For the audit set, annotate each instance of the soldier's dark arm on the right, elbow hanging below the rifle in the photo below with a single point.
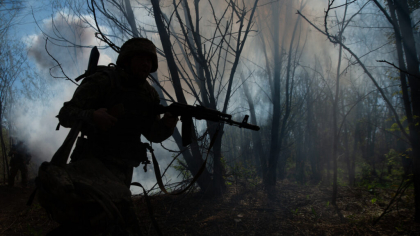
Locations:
(159, 129)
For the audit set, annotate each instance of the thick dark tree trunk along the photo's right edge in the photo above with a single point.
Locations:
(400, 19)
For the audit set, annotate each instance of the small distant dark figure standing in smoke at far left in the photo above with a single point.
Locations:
(19, 161)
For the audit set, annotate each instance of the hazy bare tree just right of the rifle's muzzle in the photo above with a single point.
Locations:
(280, 72)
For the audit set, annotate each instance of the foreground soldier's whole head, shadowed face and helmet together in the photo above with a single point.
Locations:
(138, 57)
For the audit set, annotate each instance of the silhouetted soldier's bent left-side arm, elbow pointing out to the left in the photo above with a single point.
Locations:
(85, 101)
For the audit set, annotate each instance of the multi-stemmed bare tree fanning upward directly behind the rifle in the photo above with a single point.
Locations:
(208, 75)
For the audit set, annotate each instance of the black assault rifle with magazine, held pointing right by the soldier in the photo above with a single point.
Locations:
(188, 112)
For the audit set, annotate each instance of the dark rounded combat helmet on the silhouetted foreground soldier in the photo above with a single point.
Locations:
(136, 46)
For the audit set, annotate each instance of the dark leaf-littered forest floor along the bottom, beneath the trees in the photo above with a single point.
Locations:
(296, 210)
